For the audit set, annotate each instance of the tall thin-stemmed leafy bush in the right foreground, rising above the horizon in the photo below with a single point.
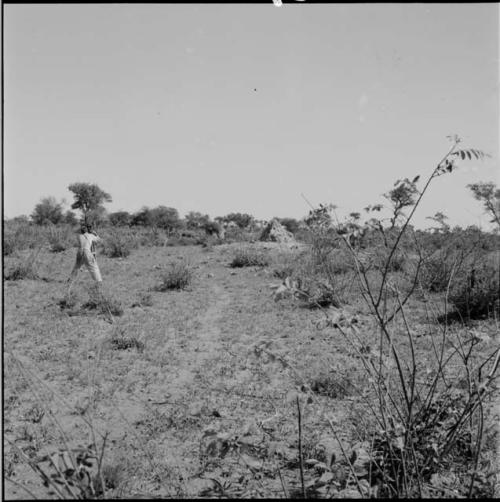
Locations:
(422, 423)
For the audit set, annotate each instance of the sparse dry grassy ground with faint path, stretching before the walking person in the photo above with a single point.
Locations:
(196, 389)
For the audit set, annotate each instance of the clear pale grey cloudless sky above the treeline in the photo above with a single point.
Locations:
(223, 108)
